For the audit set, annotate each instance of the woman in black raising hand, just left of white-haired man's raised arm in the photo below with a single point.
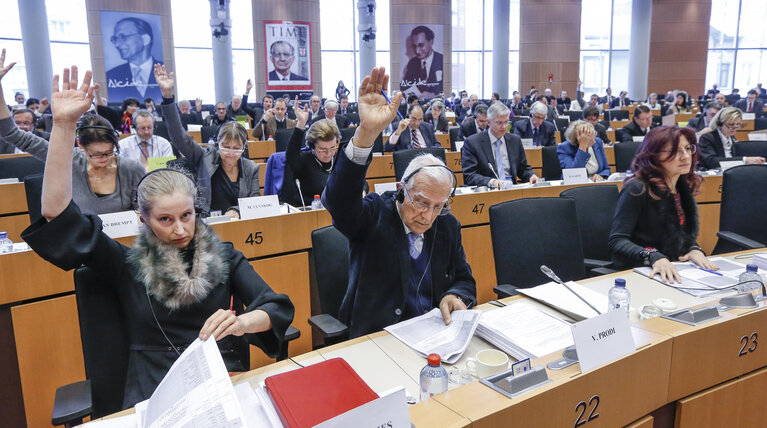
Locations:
(312, 168)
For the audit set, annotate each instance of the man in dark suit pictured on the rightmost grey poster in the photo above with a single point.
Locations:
(424, 70)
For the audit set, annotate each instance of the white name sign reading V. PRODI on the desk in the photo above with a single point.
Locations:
(602, 339)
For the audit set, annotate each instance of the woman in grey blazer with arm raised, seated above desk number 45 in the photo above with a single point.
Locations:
(231, 176)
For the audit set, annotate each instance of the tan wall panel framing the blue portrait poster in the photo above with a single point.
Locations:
(157, 7)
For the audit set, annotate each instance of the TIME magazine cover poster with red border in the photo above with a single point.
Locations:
(288, 62)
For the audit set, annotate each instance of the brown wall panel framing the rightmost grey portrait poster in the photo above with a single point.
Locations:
(427, 12)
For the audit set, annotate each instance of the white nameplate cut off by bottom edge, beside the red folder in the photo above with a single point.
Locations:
(390, 411)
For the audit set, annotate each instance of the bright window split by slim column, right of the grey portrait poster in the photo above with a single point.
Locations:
(473, 50)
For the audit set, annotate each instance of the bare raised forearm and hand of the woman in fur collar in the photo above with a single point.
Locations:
(68, 103)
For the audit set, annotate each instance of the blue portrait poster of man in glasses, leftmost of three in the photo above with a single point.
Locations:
(132, 44)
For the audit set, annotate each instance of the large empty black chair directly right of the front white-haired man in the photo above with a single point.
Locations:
(523, 241)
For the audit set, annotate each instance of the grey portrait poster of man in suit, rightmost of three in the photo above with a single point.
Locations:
(422, 47)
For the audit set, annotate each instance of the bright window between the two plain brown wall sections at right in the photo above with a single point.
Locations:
(605, 41)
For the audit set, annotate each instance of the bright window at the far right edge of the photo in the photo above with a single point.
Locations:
(737, 56)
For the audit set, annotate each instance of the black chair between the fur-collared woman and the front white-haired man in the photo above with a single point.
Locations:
(330, 270)
